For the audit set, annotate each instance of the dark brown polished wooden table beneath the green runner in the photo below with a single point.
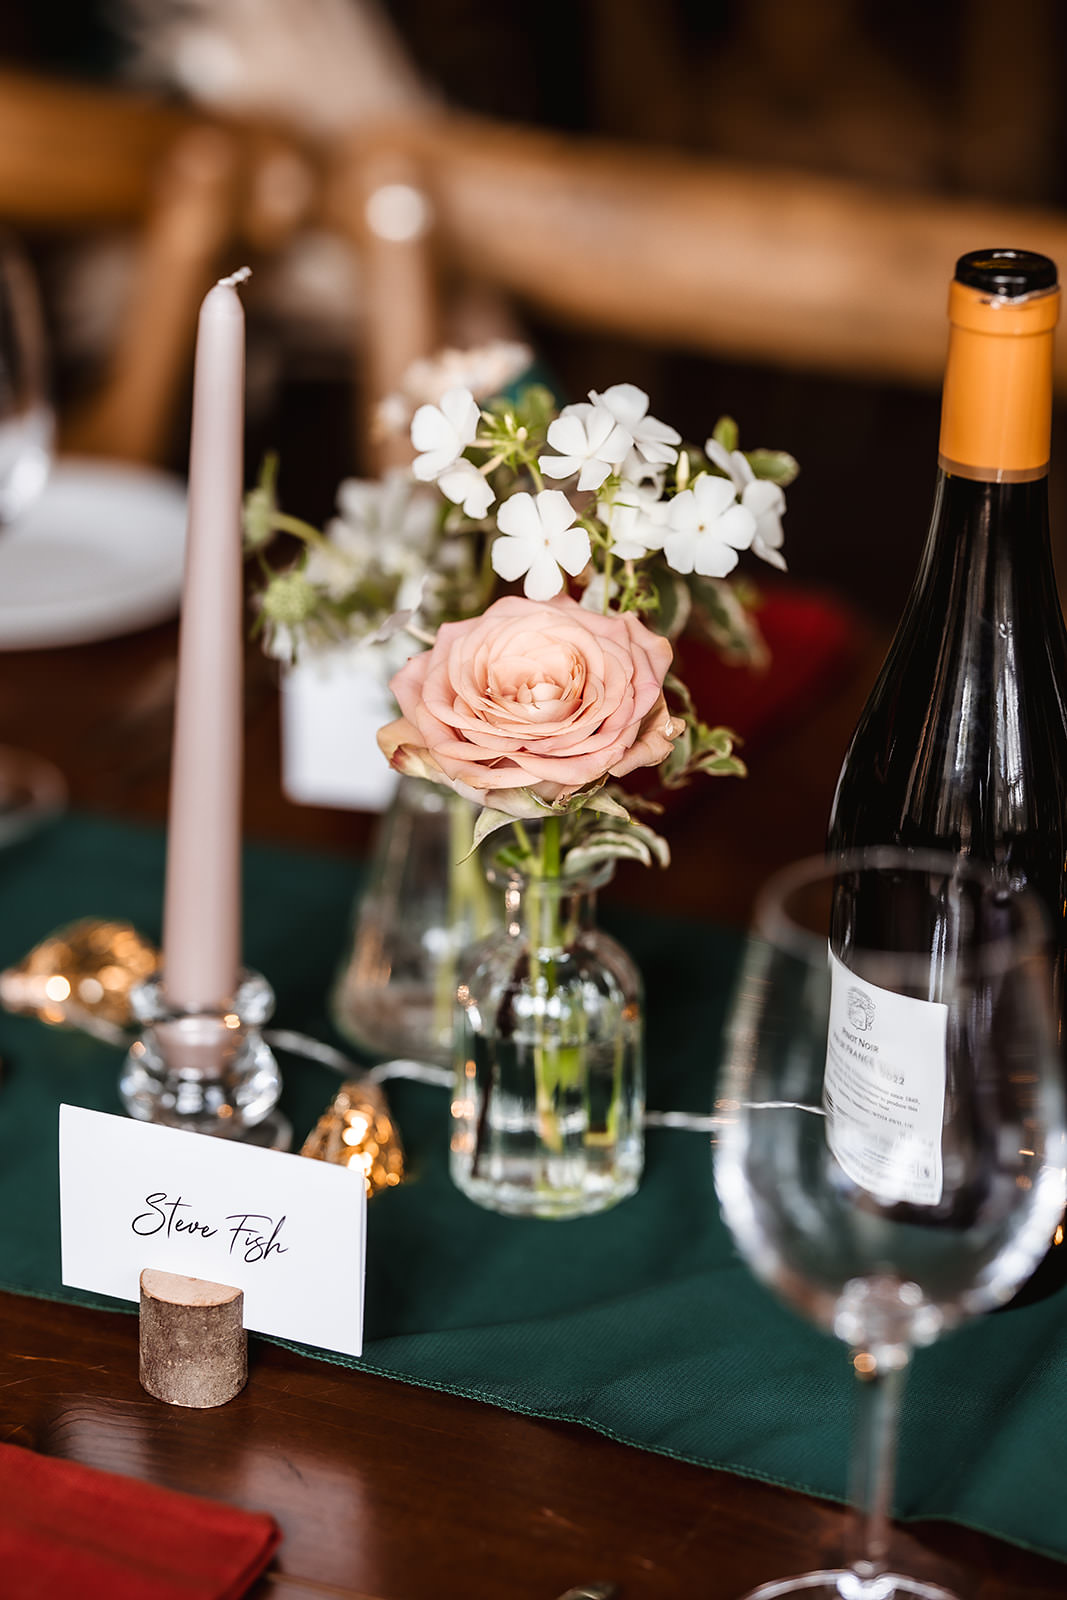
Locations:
(385, 1490)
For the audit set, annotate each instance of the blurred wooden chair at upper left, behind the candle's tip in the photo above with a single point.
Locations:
(193, 190)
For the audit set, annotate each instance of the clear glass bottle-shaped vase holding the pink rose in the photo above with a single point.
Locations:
(548, 1114)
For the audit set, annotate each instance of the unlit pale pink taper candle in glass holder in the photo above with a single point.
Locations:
(202, 929)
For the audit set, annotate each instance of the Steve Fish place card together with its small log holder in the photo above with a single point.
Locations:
(212, 1239)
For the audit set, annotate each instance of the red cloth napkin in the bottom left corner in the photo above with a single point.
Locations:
(71, 1530)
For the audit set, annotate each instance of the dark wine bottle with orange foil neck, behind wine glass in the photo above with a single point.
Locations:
(962, 746)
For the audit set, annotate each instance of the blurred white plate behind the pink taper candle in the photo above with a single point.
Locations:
(98, 554)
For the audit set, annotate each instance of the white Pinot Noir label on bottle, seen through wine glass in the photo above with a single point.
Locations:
(884, 1092)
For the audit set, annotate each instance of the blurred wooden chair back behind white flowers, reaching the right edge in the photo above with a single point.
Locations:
(767, 266)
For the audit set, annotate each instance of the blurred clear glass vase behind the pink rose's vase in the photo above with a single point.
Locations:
(426, 902)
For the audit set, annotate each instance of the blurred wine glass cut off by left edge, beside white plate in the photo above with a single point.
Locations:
(31, 788)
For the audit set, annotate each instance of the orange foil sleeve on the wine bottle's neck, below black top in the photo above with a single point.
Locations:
(997, 406)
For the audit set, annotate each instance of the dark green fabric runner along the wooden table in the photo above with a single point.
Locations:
(641, 1322)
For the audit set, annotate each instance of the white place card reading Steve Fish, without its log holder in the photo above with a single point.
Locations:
(287, 1231)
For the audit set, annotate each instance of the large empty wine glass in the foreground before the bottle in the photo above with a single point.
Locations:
(892, 1153)
